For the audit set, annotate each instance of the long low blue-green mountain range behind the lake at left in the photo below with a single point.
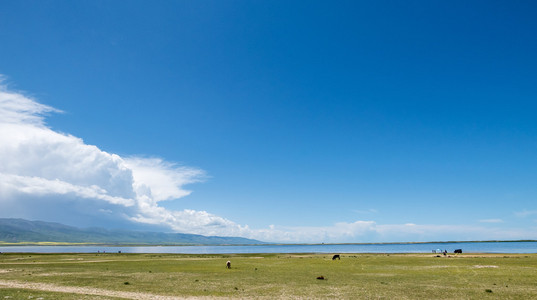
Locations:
(20, 230)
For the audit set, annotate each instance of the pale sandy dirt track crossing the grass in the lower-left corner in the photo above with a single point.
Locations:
(88, 291)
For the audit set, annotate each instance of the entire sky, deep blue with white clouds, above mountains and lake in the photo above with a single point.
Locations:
(288, 121)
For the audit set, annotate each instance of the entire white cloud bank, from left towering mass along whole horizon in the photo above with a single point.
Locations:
(52, 176)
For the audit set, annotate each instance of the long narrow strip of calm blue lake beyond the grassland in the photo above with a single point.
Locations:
(467, 247)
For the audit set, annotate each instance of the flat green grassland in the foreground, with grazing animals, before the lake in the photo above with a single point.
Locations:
(267, 276)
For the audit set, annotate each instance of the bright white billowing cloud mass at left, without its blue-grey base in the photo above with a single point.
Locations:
(38, 163)
